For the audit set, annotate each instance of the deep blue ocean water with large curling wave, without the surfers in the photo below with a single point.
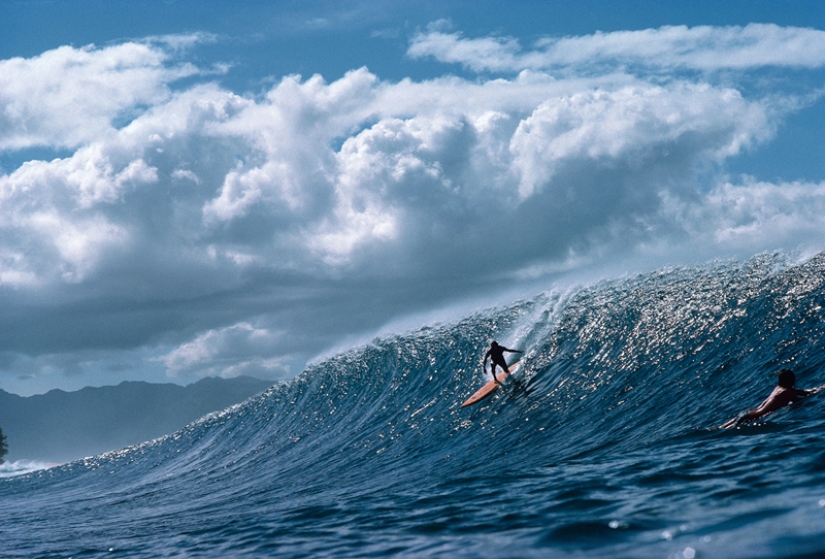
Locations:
(603, 446)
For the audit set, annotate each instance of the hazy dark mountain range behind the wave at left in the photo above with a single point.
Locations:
(62, 426)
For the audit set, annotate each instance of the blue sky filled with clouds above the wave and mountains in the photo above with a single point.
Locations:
(218, 188)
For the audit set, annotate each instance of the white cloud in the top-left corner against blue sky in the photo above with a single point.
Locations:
(69, 96)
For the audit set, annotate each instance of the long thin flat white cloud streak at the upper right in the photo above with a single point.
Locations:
(701, 48)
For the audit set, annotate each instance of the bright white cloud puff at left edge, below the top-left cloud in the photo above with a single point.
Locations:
(50, 212)
